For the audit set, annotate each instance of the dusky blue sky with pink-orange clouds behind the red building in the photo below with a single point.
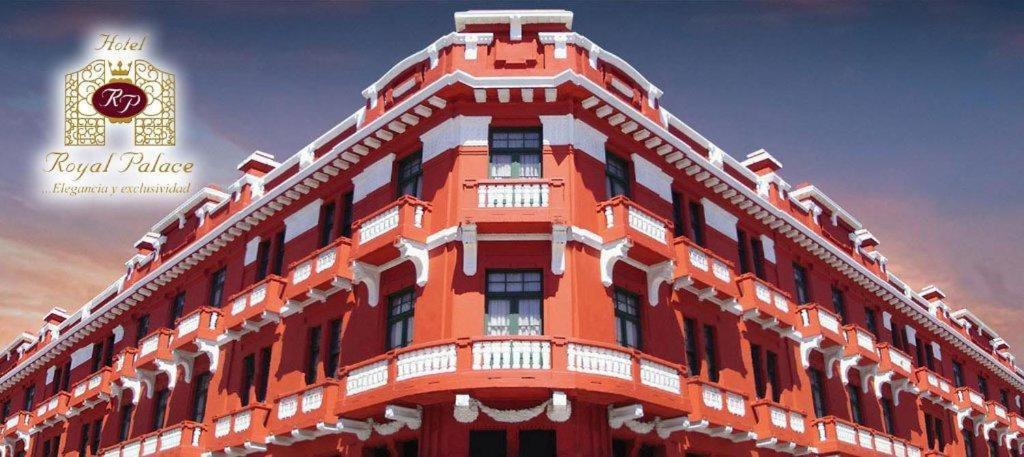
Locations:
(910, 115)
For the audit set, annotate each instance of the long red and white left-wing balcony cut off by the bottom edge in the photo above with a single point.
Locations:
(181, 440)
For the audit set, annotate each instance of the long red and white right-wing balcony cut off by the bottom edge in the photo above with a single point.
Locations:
(837, 437)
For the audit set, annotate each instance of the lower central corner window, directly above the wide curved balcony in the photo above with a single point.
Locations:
(515, 303)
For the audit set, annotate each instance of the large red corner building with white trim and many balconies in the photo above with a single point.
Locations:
(511, 250)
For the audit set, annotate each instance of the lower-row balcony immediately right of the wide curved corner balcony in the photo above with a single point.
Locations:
(723, 413)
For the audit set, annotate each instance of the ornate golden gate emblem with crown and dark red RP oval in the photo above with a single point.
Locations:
(104, 92)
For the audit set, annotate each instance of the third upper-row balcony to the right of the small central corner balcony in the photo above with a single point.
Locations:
(766, 305)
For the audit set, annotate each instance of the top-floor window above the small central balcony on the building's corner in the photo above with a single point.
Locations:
(516, 153)
